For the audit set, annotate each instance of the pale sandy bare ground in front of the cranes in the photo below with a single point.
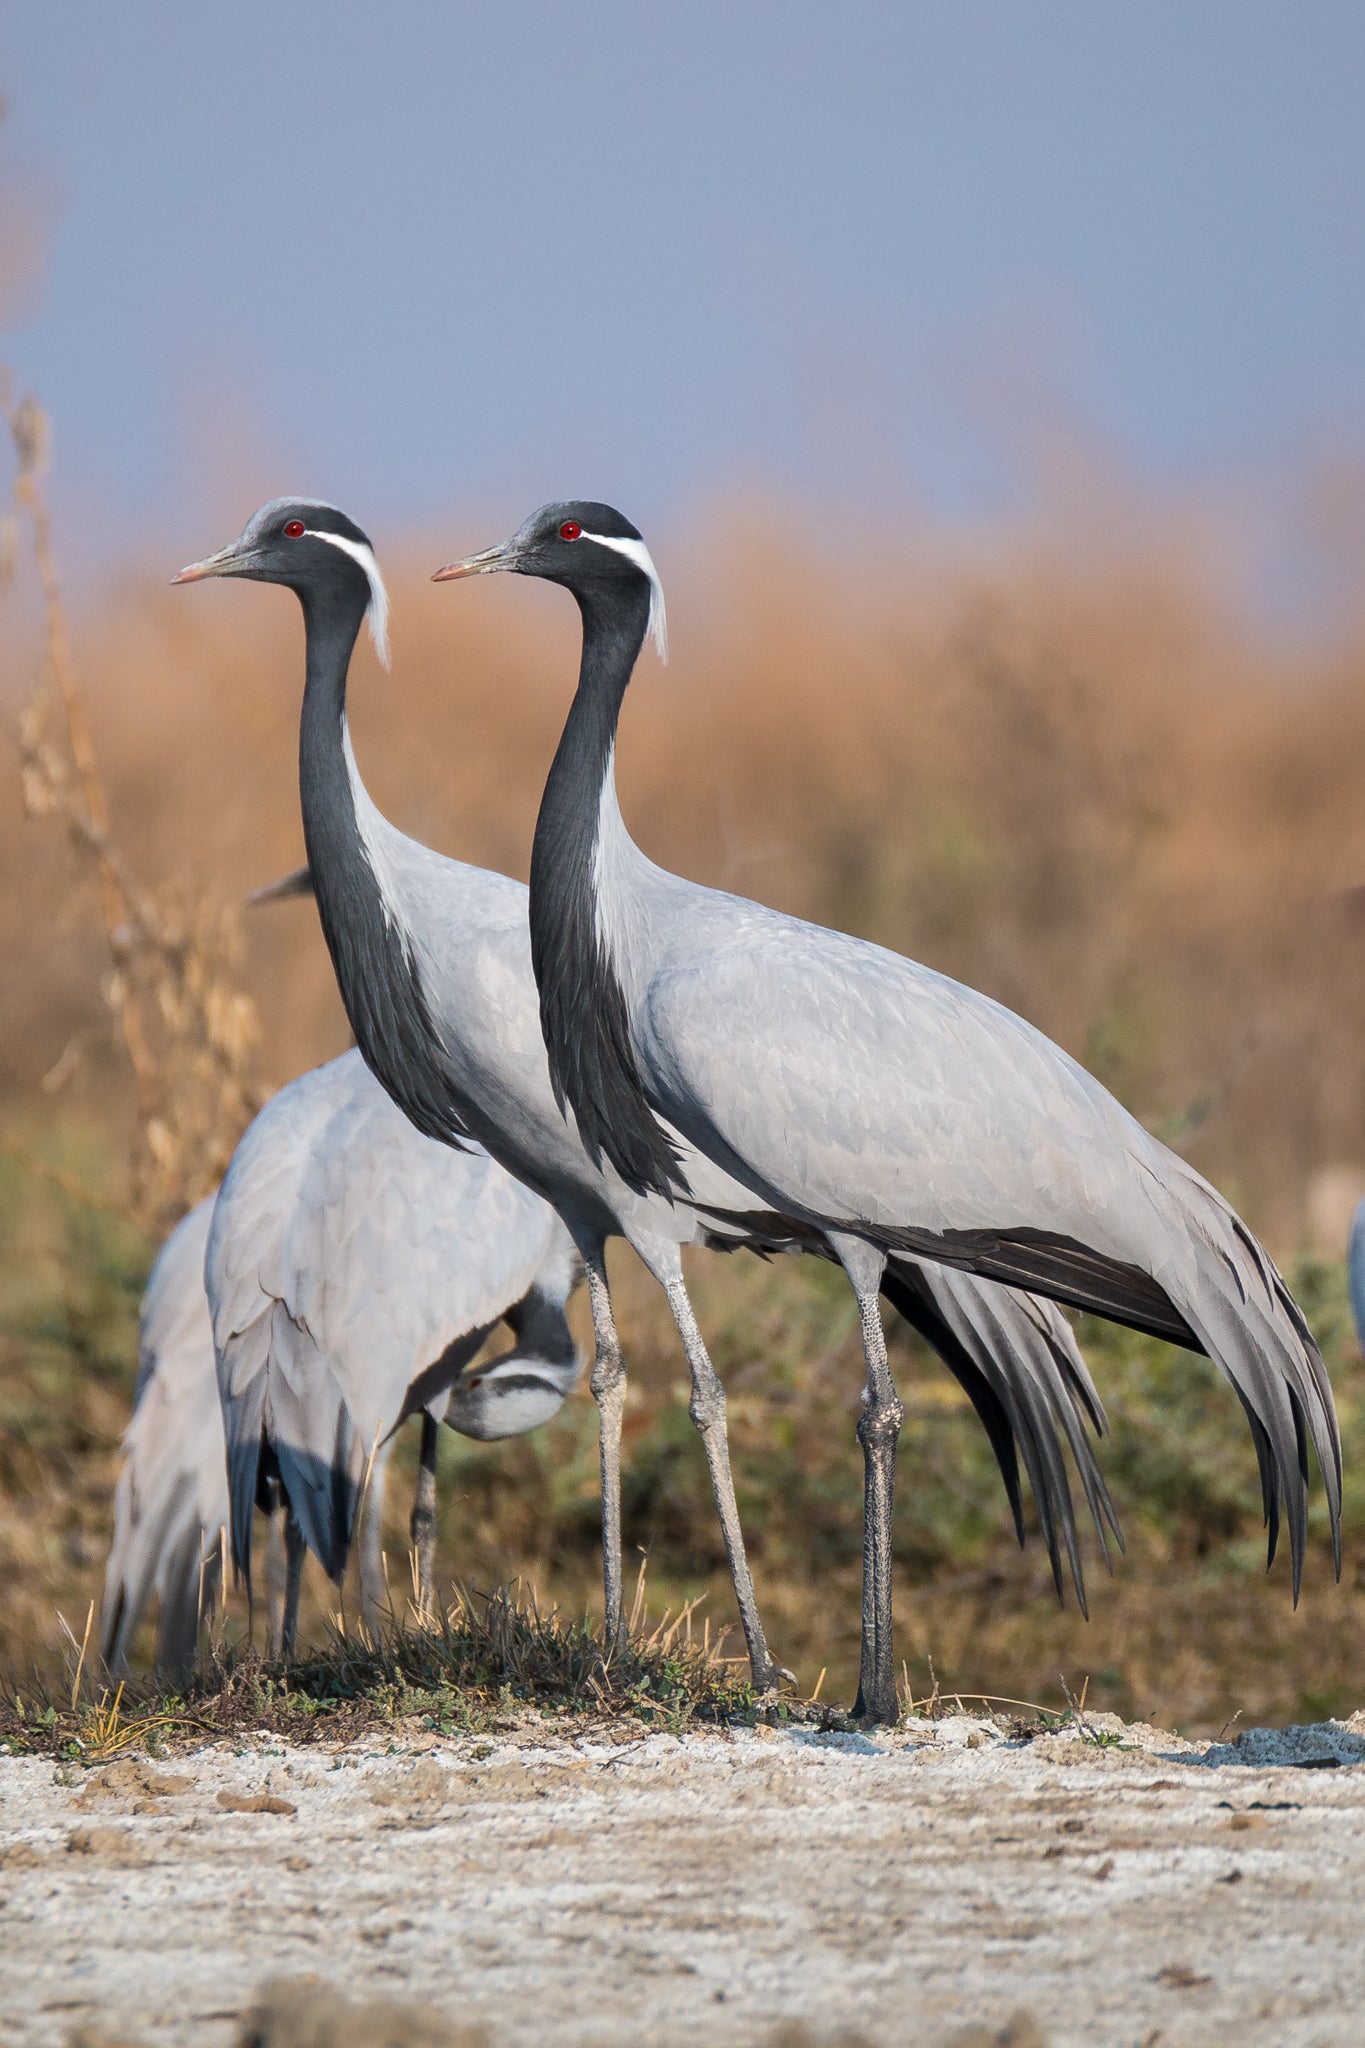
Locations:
(1139, 1893)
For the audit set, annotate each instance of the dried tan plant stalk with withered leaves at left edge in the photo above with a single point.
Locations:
(173, 990)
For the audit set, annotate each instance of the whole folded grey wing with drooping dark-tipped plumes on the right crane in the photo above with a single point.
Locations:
(865, 1093)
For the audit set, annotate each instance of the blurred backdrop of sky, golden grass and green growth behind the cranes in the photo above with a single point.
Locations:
(992, 390)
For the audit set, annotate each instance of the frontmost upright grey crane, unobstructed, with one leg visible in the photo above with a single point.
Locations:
(871, 1099)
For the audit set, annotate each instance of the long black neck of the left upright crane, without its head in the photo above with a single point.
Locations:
(369, 947)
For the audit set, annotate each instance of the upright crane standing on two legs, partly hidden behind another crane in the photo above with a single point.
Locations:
(435, 968)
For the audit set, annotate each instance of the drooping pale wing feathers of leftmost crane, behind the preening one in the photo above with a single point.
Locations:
(171, 1504)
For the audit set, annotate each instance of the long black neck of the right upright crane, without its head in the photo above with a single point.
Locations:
(582, 1002)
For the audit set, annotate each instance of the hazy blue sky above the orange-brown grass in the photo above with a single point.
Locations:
(429, 257)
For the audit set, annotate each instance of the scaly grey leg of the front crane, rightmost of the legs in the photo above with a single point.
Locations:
(879, 1426)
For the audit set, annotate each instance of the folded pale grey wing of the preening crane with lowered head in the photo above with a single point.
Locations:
(347, 1254)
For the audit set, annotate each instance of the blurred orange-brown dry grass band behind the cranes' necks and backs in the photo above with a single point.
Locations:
(1082, 783)
